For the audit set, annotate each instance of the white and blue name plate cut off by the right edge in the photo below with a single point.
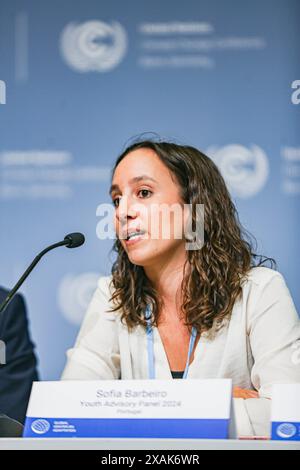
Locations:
(285, 415)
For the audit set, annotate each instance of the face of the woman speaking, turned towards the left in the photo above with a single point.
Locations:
(143, 191)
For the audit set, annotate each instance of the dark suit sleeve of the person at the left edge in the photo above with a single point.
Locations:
(20, 367)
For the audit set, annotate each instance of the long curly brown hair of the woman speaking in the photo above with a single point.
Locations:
(212, 282)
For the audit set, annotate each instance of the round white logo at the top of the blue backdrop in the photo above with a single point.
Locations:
(93, 46)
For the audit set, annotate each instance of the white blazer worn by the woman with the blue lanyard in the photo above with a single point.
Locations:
(259, 347)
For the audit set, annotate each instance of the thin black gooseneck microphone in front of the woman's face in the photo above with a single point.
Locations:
(73, 240)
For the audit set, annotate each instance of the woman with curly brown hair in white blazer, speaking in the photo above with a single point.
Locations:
(176, 309)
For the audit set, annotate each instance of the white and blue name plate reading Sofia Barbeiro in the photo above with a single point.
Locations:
(130, 409)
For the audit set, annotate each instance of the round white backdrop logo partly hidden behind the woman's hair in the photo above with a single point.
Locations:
(245, 170)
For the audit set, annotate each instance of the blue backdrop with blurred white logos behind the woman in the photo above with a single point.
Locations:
(82, 77)
